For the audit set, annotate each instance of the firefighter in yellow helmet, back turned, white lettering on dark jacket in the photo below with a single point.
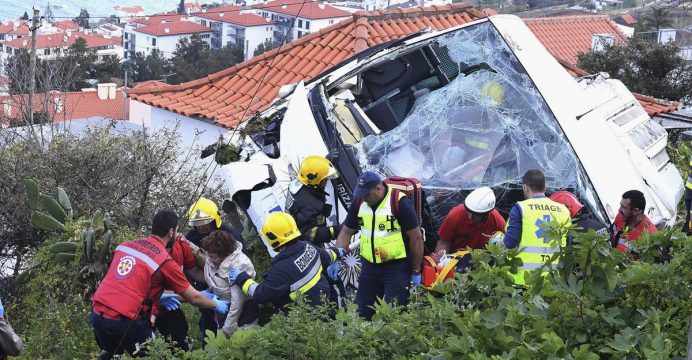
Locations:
(296, 269)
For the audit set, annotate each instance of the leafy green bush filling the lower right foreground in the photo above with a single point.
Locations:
(599, 304)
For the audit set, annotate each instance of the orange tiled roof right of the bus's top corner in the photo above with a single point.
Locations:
(567, 36)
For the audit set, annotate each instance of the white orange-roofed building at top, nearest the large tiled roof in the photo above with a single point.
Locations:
(309, 17)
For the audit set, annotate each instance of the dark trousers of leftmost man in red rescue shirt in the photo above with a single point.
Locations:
(114, 336)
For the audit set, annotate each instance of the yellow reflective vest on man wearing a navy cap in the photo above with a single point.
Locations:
(381, 239)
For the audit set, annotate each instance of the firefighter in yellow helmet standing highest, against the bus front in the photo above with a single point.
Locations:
(307, 200)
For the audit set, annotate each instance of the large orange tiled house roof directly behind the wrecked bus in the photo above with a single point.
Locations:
(234, 94)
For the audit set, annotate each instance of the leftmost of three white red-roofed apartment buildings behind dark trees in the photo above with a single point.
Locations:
(161, 32)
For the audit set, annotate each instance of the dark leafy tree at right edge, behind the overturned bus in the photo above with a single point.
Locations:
(644, 67)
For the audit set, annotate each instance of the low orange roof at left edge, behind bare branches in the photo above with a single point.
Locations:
(75, 105)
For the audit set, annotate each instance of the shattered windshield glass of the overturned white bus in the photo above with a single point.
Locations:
(485, 127)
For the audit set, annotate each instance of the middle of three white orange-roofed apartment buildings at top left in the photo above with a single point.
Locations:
(246, 30)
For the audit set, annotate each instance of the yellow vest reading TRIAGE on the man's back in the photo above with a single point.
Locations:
(537, 248)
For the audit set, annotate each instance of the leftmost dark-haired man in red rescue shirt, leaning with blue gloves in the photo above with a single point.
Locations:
(140, 271)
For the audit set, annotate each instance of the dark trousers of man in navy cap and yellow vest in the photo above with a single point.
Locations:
(389, 281)
